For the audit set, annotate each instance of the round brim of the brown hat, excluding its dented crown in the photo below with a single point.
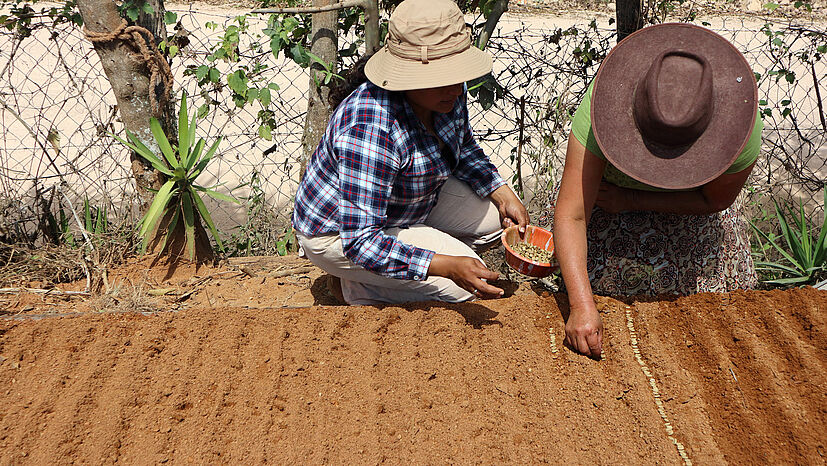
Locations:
(735, 97)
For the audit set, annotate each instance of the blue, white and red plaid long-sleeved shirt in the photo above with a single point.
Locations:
(377, 167)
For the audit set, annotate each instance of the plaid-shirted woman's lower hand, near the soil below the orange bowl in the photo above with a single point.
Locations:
(468, 273)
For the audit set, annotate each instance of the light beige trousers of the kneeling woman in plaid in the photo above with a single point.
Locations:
(460, 223)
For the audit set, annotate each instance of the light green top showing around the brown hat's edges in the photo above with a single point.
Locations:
(581, 127)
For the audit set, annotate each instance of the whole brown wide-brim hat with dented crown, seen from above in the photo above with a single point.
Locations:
(673, 105)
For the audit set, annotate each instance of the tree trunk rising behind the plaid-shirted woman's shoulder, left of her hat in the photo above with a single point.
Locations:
(325, 46)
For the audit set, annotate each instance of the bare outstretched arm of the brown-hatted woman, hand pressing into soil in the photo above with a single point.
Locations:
(578, 191)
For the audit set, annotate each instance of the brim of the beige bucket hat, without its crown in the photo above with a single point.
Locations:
(397, 74)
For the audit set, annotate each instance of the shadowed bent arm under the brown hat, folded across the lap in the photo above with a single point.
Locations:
(714, 196)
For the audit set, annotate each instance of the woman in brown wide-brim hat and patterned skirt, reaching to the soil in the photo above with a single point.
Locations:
(660, 147)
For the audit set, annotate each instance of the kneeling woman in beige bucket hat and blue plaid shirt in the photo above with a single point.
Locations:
(398, 197)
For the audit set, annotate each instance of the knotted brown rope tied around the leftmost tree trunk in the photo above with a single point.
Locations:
(142, 40)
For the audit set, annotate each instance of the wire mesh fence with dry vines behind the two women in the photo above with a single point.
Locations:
(57, 108)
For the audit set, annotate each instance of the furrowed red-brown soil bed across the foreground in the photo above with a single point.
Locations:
(253, 369)
